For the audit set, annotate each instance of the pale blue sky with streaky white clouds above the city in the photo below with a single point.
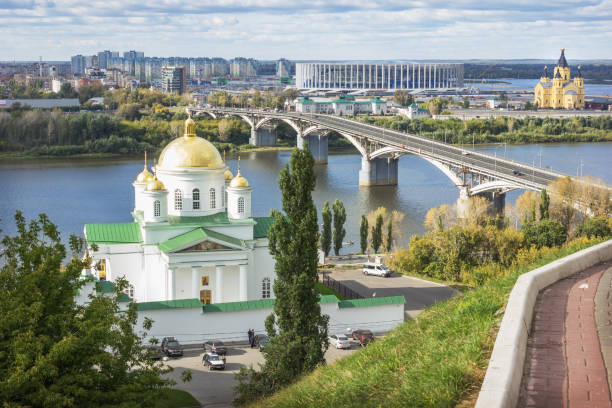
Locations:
(308, 30)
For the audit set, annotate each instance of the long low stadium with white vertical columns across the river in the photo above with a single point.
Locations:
(390, 77)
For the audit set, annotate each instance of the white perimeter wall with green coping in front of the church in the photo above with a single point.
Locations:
(192, 326)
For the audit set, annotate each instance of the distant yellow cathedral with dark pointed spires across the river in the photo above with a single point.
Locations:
(561, 92)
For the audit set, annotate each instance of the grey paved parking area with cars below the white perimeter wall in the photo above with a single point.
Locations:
(213, 389)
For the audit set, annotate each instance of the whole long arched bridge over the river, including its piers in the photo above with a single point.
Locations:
(472, 172)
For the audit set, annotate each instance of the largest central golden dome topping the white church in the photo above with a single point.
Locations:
(189, 151)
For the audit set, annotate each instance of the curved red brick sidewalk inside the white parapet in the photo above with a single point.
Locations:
(564, 366)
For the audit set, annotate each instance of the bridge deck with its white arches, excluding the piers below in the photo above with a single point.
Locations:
(486, 173)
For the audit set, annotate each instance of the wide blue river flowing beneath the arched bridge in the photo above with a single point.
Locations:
(75, 192)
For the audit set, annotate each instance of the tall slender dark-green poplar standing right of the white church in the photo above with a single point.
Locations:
(299, 344)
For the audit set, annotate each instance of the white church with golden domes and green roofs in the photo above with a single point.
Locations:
(193, 236)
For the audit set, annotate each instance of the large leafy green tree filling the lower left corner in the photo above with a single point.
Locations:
(55, 352)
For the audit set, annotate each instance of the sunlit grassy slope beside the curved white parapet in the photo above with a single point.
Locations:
(437, 360)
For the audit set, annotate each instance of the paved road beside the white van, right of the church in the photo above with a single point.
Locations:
(419, 293)
